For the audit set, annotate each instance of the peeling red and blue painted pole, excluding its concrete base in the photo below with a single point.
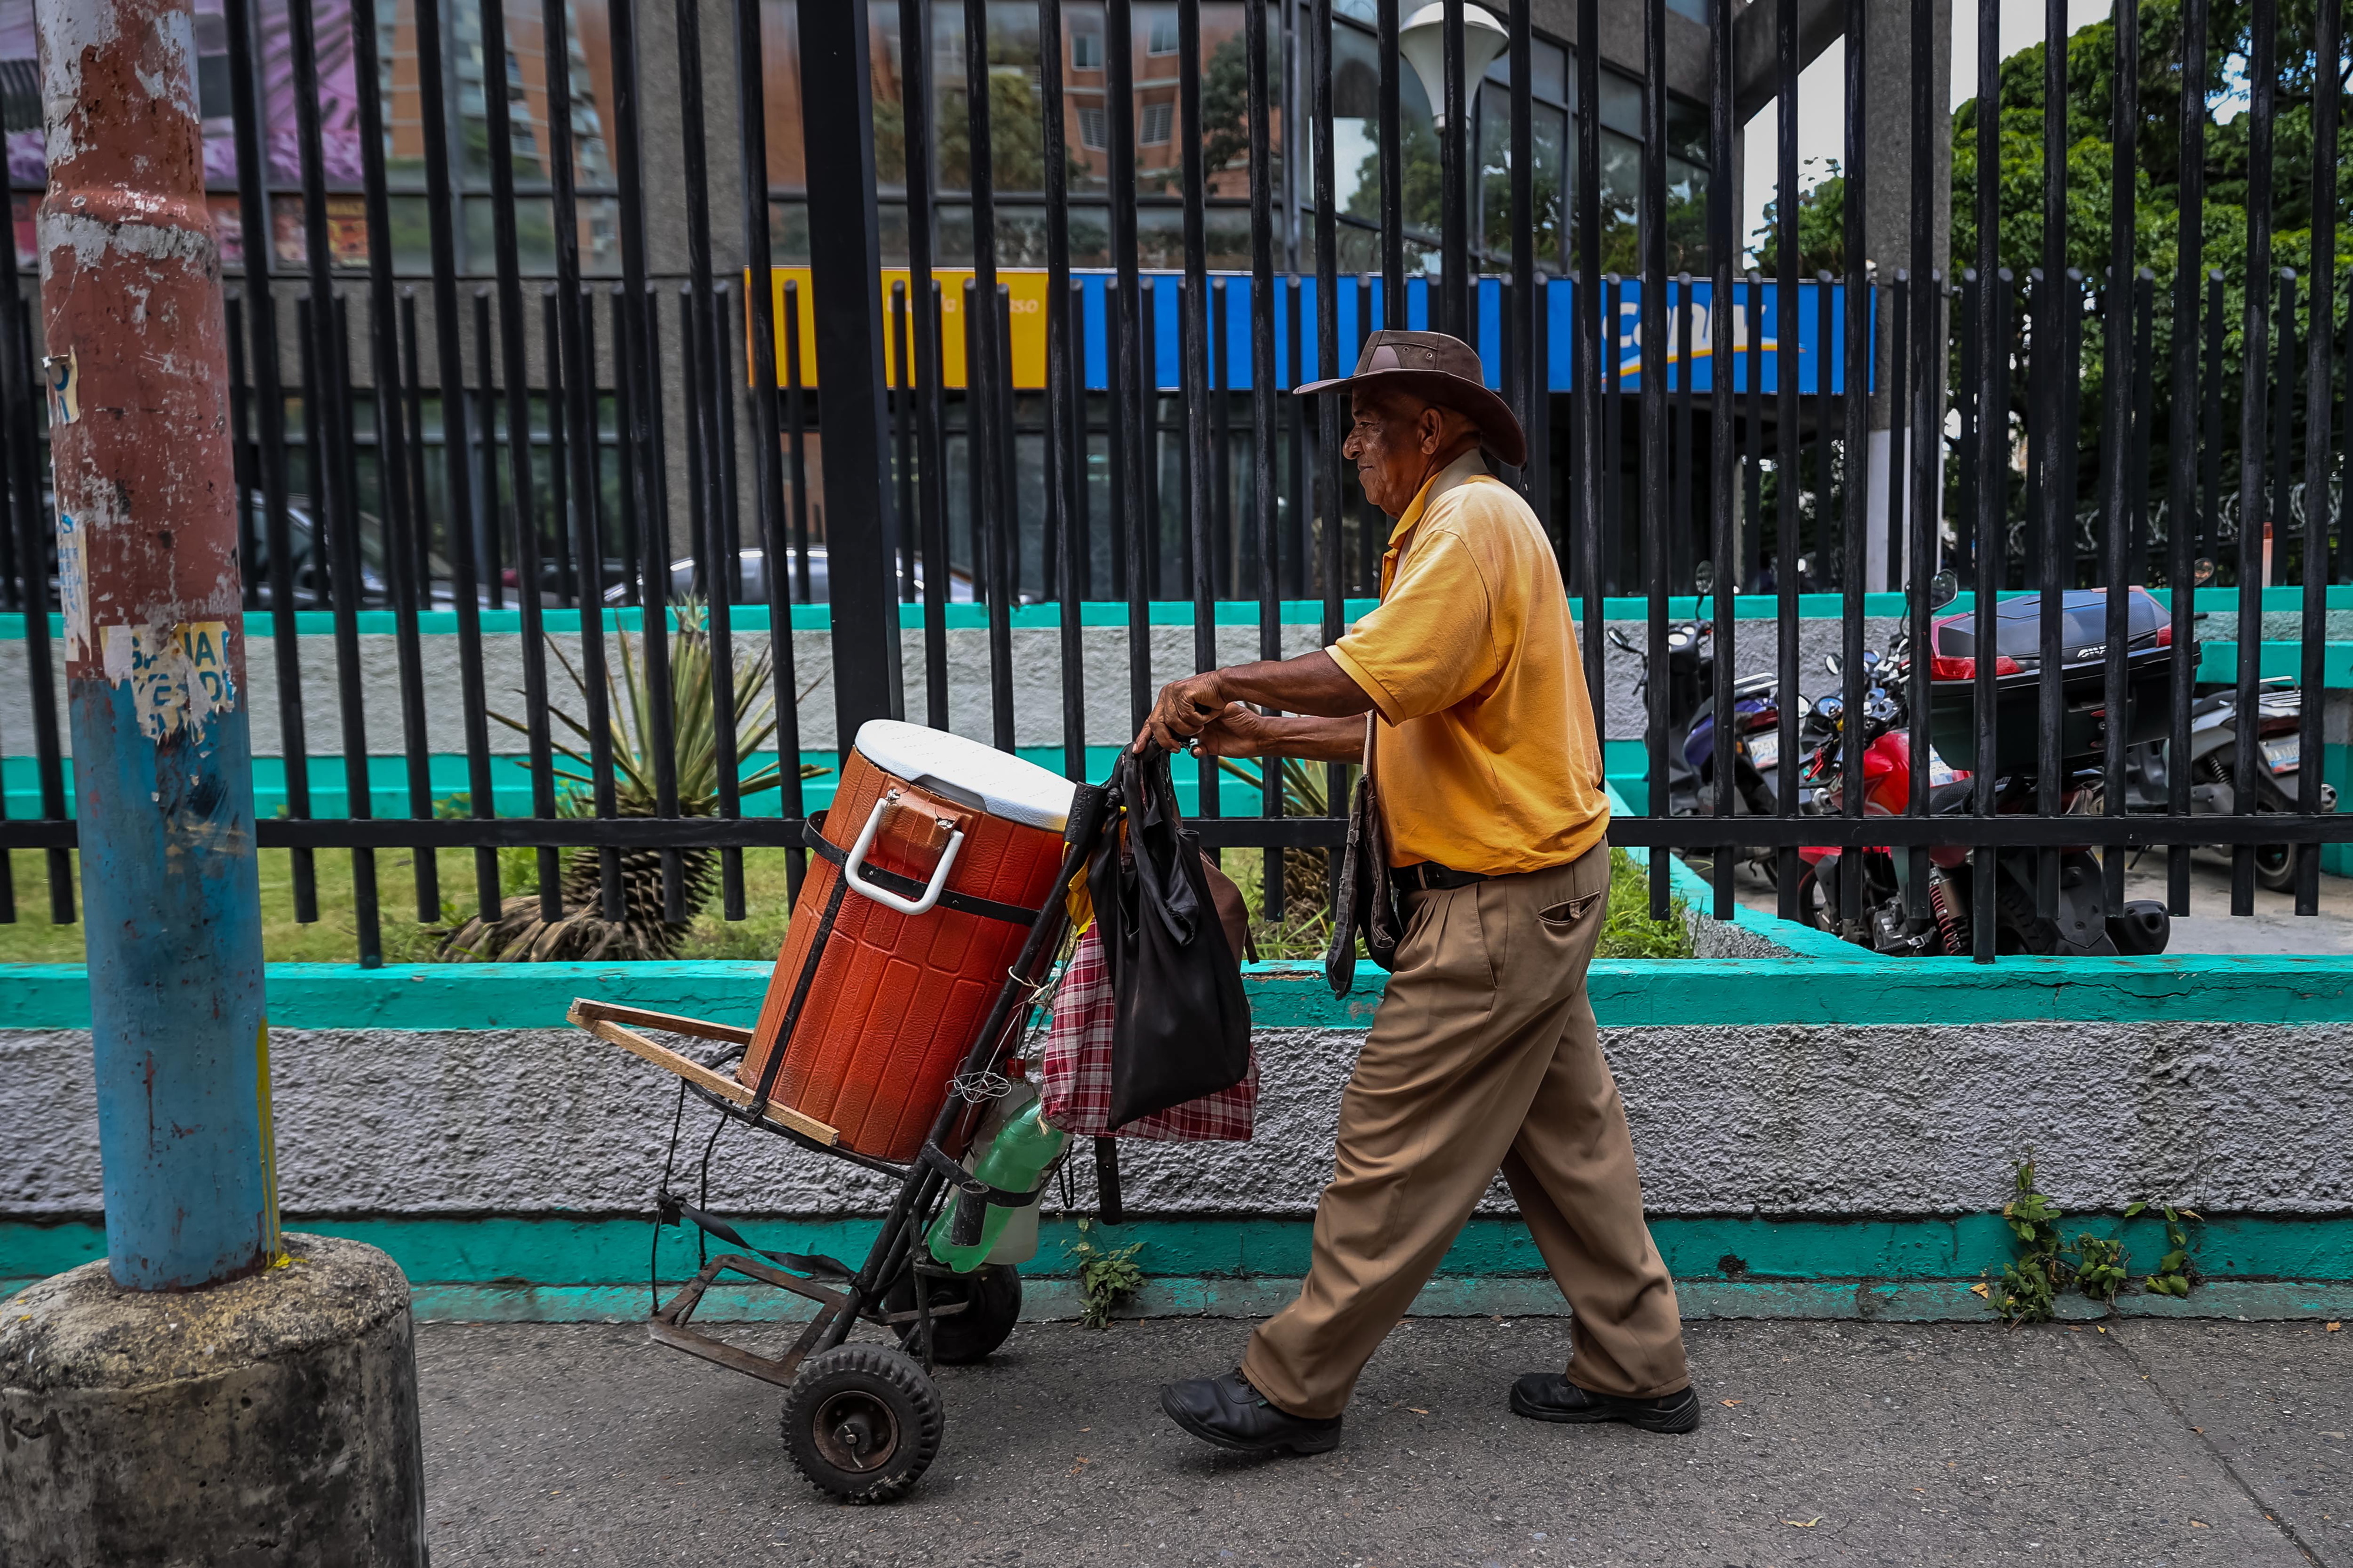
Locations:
(138, 376)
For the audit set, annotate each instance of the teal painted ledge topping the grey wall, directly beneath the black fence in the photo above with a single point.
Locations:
(1627, 992)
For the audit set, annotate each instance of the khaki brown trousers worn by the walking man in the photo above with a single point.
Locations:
(1484, 1056)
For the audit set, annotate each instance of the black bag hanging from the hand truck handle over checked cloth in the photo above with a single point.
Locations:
(1182, 1021)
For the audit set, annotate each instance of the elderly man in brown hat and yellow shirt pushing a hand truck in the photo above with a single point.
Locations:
(1484, 1056)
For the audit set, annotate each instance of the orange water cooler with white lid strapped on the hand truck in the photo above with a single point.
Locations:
(921, 889)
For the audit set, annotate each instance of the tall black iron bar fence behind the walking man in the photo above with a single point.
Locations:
(634, 446)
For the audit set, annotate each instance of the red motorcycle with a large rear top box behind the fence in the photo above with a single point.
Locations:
(2081, 922)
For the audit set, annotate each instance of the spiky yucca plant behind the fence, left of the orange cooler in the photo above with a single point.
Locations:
(585, 934)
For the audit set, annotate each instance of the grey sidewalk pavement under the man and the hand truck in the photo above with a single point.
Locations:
(2152, 1444)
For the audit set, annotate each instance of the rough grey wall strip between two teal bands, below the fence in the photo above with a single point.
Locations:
(1728, 1122)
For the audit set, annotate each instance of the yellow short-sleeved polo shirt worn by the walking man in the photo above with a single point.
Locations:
(1488, 757)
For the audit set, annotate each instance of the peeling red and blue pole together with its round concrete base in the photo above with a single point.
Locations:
(211, 1386)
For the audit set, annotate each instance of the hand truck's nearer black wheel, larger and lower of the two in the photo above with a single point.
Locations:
(862, 1423)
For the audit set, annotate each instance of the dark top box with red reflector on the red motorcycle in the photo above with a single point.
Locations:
(2018, 684)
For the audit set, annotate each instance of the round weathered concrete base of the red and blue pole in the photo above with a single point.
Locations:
(269, 1421)
